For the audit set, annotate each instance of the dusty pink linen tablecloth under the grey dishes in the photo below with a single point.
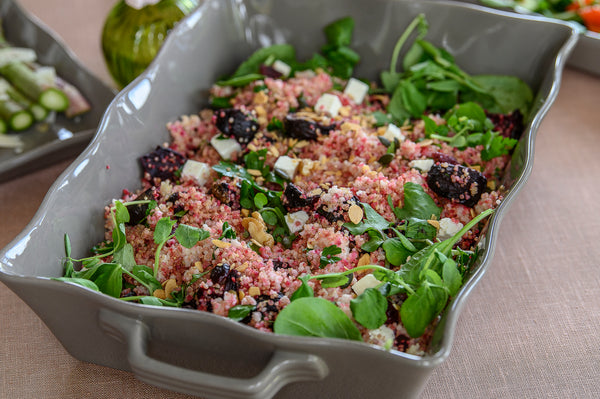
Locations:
(530, 329)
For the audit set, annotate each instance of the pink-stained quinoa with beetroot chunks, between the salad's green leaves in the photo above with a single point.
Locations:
(324, 167)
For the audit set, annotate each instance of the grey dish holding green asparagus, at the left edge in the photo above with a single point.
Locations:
(46, 143)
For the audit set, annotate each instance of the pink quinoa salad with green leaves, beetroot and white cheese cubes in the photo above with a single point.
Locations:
(304, 201)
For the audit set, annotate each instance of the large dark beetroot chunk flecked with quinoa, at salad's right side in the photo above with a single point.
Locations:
(459, 183)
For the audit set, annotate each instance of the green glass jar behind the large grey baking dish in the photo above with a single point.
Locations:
(133, 32)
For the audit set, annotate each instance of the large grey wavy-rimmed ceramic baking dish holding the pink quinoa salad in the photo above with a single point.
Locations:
(214, 357)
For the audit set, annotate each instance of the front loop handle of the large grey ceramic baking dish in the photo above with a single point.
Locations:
(283, 368)
